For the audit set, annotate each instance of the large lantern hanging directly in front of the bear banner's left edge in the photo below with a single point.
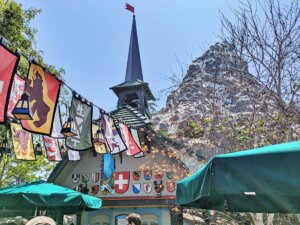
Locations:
(22, 110)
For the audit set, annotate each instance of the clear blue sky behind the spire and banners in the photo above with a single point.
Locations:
(90, 40)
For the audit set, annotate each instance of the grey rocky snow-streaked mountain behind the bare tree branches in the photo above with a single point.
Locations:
(216, 103)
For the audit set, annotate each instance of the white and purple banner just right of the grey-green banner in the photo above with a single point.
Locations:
(113, 138)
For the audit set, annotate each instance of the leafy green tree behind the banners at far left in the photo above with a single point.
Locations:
(15, 27)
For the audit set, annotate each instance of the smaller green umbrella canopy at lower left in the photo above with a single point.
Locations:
(44, 194)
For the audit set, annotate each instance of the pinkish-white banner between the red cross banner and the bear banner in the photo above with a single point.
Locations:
(17, 90)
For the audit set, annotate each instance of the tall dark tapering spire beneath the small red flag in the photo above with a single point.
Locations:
(134, 67)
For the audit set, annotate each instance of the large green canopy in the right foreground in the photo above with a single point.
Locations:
(264, 179)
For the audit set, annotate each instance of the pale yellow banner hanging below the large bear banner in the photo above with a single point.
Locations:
(22, 142)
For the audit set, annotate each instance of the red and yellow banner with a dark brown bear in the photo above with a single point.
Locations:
(43, 89)
